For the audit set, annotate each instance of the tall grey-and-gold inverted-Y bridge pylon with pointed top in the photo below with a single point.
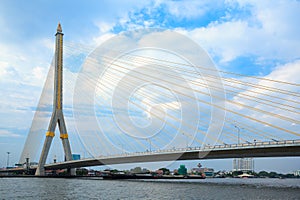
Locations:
(57, 114)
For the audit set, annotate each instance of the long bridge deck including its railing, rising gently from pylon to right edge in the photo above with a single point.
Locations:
(259, 149)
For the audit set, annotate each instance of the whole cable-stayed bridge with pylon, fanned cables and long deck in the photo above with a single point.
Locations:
(159, 93)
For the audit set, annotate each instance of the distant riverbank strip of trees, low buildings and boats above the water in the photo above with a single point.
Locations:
(163, 173)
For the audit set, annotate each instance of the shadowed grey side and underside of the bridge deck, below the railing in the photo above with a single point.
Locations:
(283, 151)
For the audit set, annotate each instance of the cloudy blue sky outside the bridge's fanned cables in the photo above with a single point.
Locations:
(259, 38)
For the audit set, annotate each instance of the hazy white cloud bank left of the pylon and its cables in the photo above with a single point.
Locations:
(23, 72)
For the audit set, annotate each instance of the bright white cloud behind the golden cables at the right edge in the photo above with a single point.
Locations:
(289, 73)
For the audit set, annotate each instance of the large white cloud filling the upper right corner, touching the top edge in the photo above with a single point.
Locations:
(271, 32)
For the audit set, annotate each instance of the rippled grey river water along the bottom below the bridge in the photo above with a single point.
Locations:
(59, 188)
